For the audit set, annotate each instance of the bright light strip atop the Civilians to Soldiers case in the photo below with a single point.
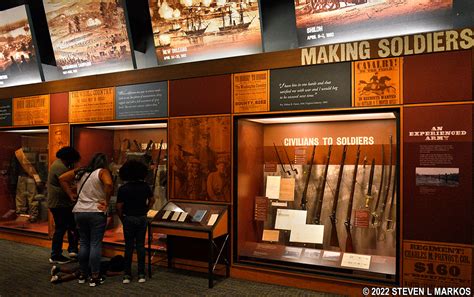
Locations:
(326, 118)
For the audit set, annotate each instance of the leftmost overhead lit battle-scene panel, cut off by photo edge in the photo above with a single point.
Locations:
(18, 61)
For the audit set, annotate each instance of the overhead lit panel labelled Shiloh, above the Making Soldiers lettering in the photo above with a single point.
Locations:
(322, 22)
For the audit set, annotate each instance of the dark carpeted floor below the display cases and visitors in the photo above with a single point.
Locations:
(25, 271)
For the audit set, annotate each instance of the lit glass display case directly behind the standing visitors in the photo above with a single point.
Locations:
(120, 142)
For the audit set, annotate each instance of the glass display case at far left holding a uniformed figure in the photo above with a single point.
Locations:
(23, 175)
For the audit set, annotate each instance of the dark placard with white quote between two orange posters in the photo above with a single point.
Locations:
(301, 88)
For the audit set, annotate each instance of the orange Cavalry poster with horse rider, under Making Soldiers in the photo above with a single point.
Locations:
(377, 82)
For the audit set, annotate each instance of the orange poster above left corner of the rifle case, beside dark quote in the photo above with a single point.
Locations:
(250, 92)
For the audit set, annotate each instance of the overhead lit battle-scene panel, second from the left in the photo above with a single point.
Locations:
(88, 37)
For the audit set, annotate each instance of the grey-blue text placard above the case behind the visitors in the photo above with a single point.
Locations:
(141, 101)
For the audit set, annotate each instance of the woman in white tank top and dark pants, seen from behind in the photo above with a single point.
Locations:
(94, 189)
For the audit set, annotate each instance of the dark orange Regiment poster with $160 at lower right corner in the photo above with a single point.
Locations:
(429, 264)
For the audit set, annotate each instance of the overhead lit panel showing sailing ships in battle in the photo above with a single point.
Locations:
(193, 30)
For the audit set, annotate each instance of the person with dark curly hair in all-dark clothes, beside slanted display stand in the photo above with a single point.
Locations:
(134, 199)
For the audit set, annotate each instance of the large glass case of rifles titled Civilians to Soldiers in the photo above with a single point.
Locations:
(319, 193)
